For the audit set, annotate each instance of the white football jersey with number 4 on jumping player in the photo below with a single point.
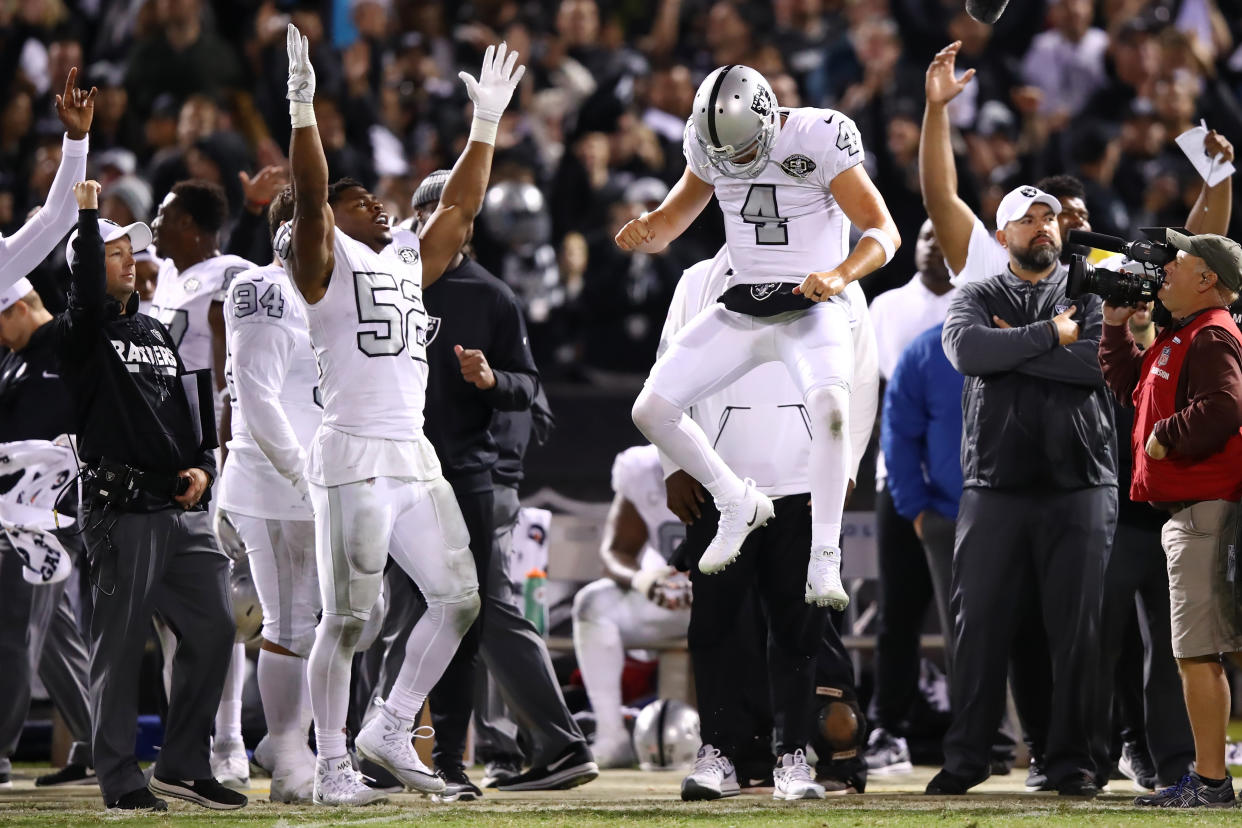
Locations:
(786, 224)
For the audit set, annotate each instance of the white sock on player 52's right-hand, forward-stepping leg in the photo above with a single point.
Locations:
(428, 652)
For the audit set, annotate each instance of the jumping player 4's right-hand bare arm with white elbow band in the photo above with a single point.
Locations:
(865, 208)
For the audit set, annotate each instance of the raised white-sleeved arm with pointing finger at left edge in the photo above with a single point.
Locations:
(22, 253)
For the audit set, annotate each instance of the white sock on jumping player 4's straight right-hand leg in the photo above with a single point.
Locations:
(829, 466)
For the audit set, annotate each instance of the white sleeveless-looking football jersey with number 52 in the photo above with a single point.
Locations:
(369, 333)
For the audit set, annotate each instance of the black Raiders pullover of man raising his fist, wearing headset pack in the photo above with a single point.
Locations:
(124, 376)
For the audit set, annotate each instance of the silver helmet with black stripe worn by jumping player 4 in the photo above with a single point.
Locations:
(735, 121)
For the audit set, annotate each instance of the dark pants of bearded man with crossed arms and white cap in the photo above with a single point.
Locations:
(1014, 548)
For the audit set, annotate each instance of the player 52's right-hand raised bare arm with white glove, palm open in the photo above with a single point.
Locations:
(460, 203)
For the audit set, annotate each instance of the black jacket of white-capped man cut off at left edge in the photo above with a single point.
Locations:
(34, 402)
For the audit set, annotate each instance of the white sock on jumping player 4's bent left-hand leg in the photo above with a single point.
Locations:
(680, 438)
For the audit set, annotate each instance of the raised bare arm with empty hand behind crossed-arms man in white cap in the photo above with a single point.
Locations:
(938, 172)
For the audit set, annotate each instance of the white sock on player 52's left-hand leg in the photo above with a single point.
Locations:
(329, 672)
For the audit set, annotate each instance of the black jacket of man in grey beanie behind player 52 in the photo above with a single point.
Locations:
(473, 308)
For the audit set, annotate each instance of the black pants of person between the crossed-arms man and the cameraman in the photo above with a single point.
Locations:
(1137, 588)
